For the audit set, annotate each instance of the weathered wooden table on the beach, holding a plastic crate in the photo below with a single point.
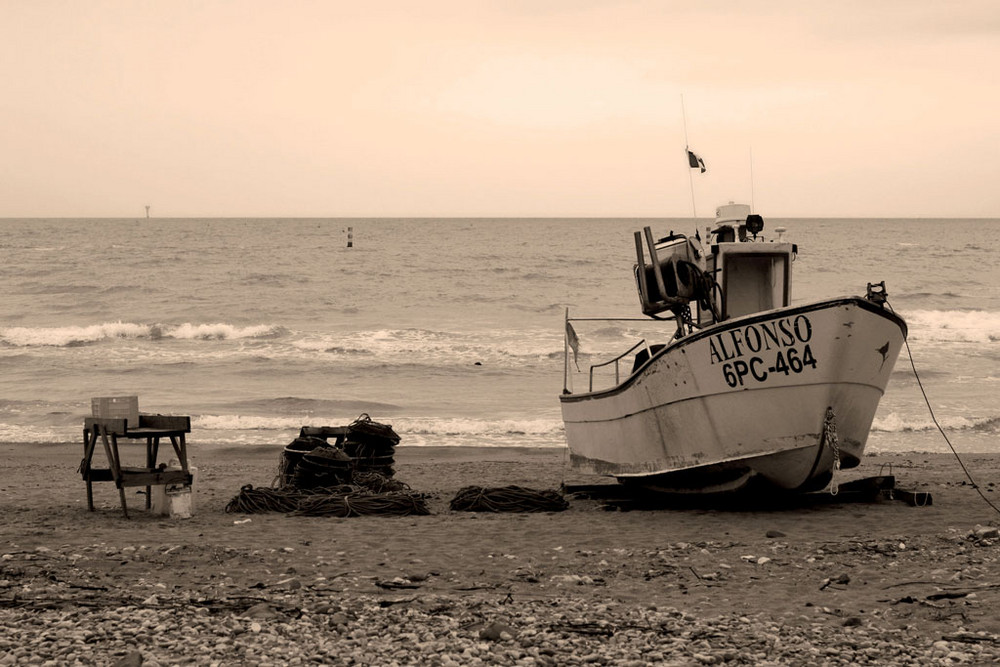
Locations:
(151, 428)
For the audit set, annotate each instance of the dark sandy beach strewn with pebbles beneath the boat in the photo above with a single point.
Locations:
(808, 583)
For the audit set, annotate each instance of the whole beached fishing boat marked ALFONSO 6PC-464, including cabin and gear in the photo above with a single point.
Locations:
(743, 387)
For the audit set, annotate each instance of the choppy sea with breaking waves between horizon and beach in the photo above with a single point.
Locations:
(451, 330)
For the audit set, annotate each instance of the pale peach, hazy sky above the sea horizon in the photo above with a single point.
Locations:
(431, 108)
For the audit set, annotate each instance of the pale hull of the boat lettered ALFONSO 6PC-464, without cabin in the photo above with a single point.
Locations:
(749, 397)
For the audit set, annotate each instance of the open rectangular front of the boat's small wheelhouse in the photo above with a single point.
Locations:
(754, 283)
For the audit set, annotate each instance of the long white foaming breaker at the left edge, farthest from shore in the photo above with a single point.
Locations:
(72, 336)
